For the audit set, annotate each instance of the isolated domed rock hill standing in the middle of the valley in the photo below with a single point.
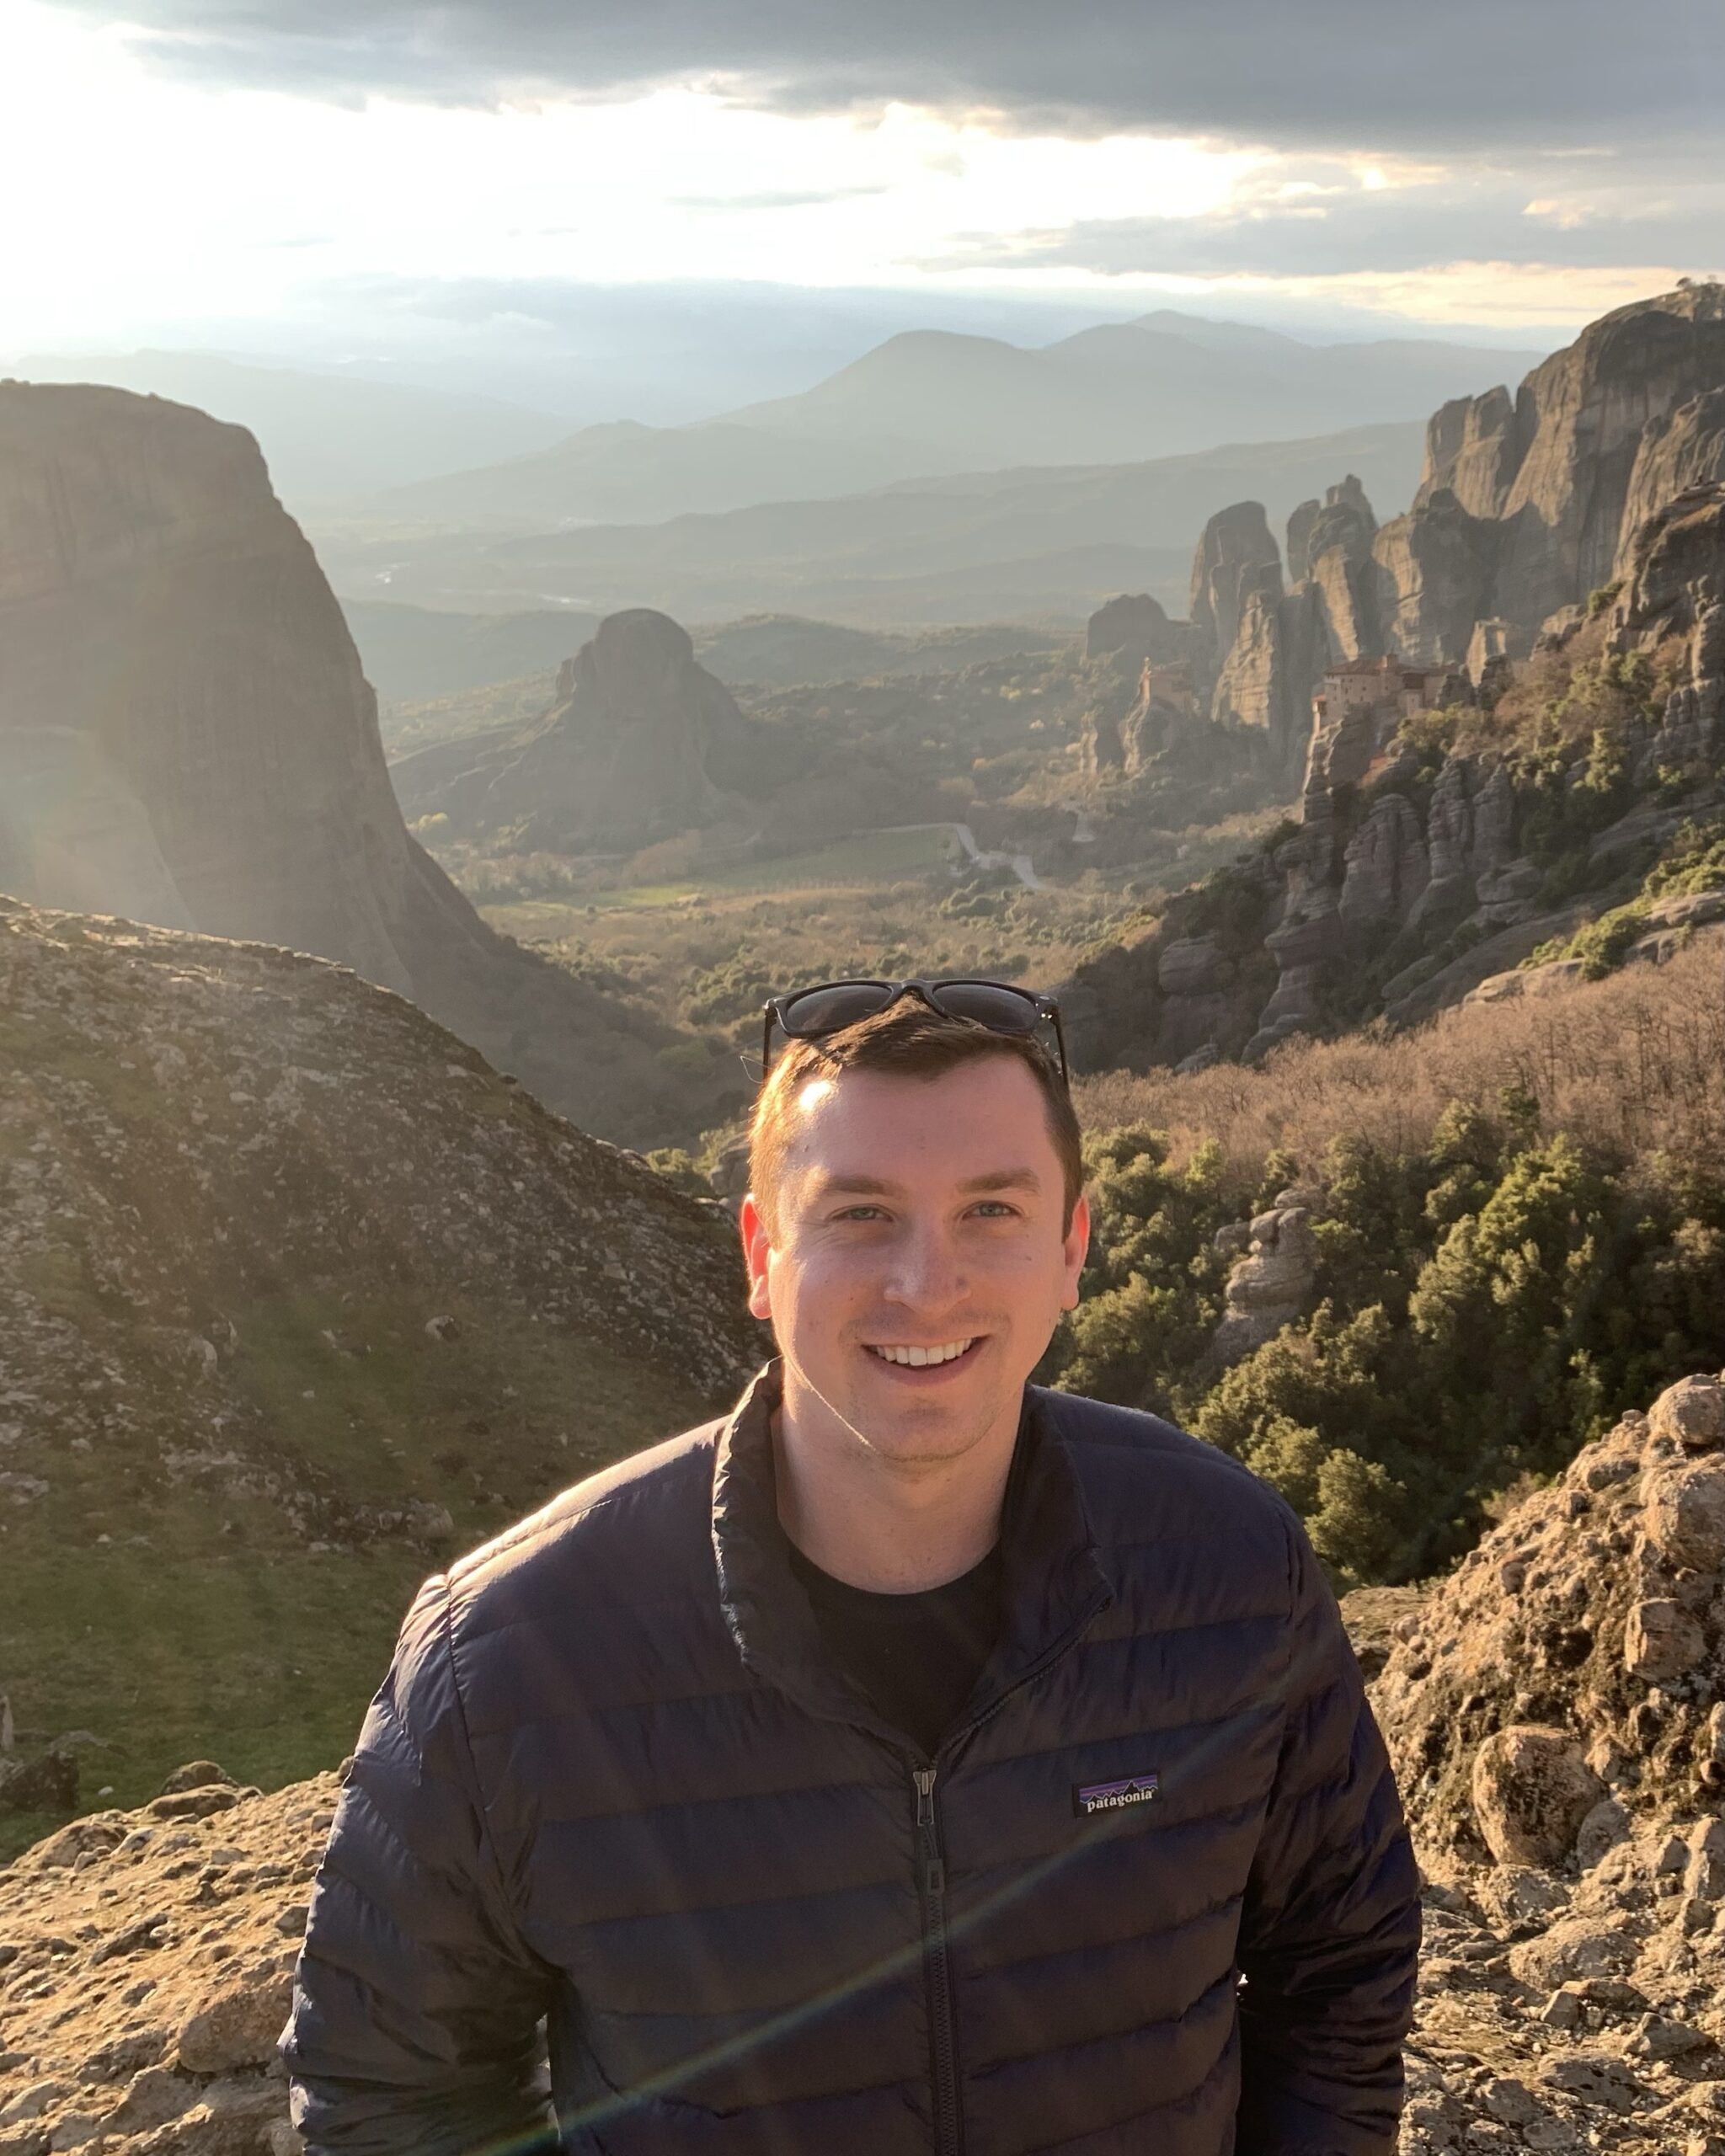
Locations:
(641, 745)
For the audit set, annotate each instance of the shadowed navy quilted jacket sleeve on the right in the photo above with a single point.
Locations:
(1329, 1937)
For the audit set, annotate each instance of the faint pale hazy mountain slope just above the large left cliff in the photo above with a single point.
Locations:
(322, 434)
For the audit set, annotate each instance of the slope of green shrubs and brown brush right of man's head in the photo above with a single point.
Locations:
(1521, 1234)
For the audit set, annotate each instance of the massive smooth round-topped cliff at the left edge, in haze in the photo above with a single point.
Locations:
(163, 607)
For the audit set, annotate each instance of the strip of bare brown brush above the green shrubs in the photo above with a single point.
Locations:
(1631, 1064)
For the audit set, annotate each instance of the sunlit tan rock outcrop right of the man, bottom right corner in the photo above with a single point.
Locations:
(1554, 1715)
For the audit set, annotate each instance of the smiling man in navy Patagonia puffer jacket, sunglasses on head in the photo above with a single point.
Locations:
(909, 1763)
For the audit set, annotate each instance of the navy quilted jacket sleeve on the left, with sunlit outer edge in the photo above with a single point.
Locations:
(415, 2026)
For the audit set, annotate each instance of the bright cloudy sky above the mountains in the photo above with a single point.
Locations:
(277, 171)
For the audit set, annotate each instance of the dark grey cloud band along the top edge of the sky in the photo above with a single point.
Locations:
(1366, 72)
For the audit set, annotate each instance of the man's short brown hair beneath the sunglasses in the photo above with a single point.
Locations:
(913, 1042)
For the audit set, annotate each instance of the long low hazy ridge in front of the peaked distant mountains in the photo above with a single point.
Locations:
(1030, 544)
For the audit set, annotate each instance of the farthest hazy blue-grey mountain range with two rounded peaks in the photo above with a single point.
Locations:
(937, 402)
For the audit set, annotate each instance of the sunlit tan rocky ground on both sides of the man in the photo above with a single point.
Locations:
(1551, 1711)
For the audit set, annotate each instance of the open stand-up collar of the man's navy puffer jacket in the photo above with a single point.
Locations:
(1051, 1571)
